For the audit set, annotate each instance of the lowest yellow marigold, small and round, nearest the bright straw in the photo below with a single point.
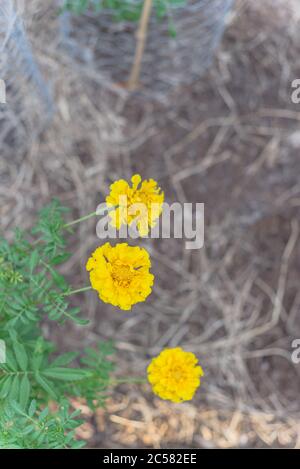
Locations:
(175, 375)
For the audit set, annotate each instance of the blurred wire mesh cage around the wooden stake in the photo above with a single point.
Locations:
(179, 47)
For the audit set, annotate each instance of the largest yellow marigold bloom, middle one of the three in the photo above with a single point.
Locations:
(121, 274)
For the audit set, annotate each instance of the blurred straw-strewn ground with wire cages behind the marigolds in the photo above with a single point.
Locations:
(213, 121)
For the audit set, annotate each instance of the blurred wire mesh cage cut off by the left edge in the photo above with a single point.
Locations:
(26, 104)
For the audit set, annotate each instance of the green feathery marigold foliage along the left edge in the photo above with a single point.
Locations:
(31, 291)
